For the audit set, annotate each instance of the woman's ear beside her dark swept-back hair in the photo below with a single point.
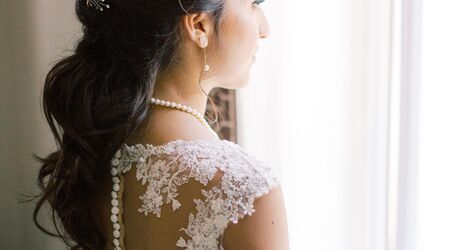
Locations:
(196, 26)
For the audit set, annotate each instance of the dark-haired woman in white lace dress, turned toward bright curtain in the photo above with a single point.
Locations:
(138, 166)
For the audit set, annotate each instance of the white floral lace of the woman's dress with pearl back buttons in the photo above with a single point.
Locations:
(166, 167)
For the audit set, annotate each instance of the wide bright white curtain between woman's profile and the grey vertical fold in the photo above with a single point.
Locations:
(318, 110)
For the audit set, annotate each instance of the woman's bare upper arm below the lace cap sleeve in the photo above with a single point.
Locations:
(265, 229)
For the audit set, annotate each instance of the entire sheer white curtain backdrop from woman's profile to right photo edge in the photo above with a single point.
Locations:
(349, 102)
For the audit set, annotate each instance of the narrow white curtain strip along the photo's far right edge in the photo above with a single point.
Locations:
(433, 185)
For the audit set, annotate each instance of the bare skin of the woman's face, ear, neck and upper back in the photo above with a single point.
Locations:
(243, 25)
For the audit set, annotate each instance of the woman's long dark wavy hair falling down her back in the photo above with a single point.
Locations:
(98, 96)
